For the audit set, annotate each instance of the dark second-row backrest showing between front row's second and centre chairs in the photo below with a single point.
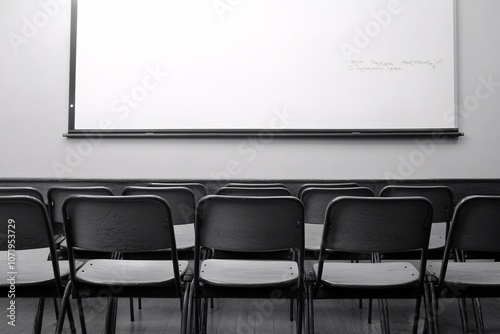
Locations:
(180, 200)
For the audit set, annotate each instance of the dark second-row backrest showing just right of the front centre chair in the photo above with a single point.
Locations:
(316, 200)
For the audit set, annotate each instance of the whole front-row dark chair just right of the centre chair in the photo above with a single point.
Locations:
(372, 225)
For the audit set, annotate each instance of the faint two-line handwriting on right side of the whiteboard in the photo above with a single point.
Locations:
(374, 65)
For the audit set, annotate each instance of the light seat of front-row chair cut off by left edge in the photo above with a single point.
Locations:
(31, 272)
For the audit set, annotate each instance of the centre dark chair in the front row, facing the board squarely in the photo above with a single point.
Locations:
(247, 224)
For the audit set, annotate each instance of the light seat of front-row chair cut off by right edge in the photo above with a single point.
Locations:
(469, 273)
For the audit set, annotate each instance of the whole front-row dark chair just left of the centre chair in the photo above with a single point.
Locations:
(115, 224)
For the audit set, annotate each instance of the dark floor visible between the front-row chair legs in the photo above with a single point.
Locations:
(231, 316)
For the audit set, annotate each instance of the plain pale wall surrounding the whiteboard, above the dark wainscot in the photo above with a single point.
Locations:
(34, 76)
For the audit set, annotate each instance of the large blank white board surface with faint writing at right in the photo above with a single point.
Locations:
(264, 64)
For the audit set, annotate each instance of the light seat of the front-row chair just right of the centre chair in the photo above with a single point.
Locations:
(368, 275)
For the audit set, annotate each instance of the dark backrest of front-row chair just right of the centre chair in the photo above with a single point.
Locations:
(377, 225)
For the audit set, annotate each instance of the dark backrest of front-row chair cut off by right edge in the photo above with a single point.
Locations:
(475, 225)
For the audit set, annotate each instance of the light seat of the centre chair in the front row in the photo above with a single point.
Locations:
(249, 273)
